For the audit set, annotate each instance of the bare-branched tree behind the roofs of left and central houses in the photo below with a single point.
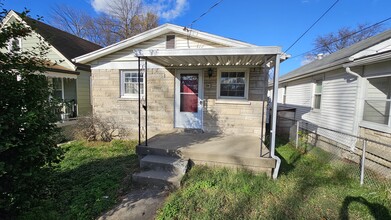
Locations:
(123, 19)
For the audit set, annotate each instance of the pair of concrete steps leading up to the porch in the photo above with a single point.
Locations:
(161, 170)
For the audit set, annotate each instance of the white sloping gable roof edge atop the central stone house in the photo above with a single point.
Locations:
(156, 32)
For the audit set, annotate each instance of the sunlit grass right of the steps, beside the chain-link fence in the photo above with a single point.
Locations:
(310, 186)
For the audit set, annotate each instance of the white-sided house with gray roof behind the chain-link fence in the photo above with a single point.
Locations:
(346, 92)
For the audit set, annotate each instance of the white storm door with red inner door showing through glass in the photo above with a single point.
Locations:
(188, 99)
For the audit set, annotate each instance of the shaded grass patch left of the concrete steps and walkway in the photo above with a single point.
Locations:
(89, 181)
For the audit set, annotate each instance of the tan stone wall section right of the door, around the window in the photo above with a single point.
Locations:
(235, 117)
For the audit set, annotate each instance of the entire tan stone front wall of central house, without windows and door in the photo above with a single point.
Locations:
(223, 116)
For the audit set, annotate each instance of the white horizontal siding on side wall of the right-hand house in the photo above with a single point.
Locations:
(338, 104)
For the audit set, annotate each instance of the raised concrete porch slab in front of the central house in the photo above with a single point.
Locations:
(236, 151)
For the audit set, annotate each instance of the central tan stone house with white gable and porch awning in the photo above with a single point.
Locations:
(192, 80)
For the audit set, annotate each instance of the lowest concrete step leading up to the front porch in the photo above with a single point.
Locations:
(160, 178)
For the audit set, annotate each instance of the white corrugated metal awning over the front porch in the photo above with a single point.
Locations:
(248, 56)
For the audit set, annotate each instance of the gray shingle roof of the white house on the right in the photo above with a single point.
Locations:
(337, 58)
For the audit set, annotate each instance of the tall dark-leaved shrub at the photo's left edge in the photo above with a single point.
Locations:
(28, 135)
